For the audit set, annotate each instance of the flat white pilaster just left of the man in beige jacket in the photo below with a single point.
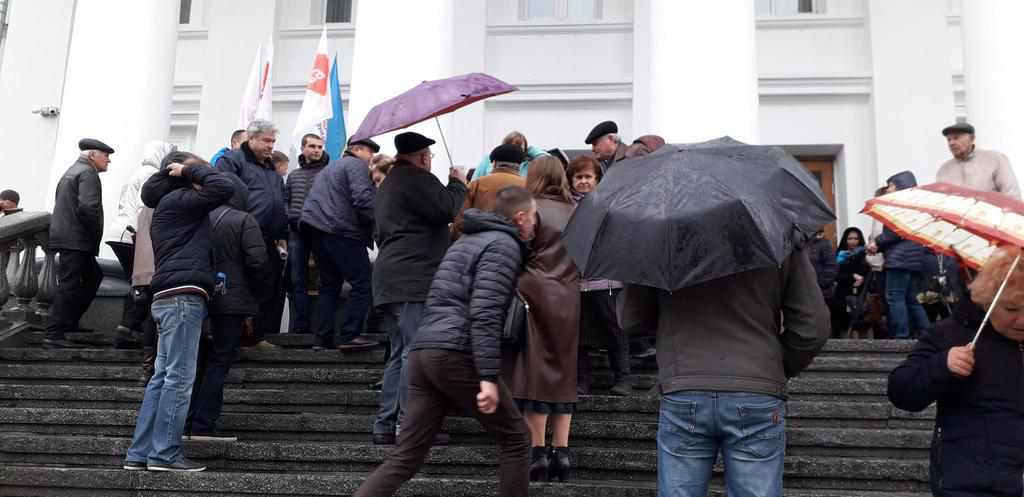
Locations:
(913, 93)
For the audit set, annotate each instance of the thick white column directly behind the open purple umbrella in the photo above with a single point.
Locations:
(399, 45)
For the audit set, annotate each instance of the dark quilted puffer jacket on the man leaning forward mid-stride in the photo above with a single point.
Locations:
(472, 292)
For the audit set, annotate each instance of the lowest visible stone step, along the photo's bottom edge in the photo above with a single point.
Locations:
(24, 481)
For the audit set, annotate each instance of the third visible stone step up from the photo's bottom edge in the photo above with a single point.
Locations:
(316, 427)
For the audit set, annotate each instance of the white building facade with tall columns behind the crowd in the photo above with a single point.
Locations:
(859, 90)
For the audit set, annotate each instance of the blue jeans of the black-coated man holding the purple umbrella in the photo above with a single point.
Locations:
(404, 319)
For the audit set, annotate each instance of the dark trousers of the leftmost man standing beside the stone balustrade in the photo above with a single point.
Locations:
(78, 279)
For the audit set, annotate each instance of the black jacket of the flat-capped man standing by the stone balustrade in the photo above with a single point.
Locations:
(78, 214)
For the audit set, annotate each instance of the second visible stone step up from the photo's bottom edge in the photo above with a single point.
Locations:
(459, 461)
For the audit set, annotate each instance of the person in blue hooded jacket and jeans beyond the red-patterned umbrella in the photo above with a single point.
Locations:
(905, 267)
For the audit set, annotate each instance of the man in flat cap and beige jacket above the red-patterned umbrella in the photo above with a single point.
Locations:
(976, 169)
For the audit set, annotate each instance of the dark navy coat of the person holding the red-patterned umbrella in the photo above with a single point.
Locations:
(978, 443)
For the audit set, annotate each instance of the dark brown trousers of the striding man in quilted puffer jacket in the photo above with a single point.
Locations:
(443, 381)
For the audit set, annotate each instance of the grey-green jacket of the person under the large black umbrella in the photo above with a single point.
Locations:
(748, 333)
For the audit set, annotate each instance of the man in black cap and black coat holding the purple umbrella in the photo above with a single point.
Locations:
(413, 212)
